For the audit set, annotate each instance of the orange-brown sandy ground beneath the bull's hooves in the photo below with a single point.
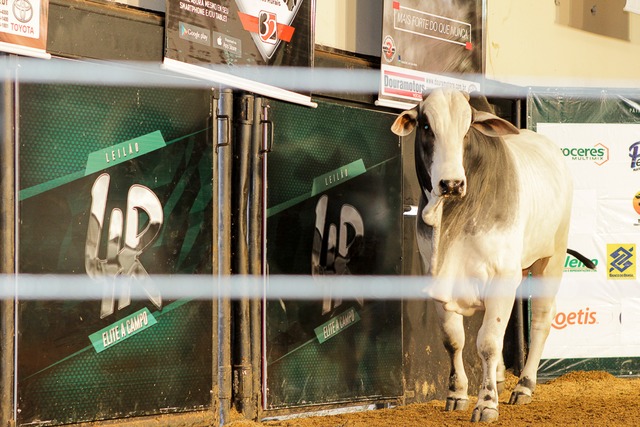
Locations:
(575, 399)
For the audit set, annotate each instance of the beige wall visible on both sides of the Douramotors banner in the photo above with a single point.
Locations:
(525, 46)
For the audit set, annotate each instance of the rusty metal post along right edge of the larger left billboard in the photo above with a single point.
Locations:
(224, 177)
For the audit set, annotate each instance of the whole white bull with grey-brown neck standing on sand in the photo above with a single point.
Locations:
(496, 203)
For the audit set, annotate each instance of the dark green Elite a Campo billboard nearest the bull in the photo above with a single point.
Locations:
(334, 209)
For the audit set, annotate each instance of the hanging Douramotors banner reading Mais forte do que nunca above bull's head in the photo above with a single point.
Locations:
(426, 45)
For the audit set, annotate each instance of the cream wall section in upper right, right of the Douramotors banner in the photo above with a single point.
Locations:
(525, 46)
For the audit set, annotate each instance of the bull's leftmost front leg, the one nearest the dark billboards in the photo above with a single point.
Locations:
(453, 330)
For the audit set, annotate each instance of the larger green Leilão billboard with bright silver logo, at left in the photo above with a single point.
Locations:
(113, 183)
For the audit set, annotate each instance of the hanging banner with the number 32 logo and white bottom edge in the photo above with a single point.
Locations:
(209, 38)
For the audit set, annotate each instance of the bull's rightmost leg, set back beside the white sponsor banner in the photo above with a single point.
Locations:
(546, 273)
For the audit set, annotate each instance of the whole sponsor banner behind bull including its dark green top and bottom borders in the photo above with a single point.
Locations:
(597, 311)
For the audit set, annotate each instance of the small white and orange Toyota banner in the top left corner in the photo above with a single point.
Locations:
(23, 27)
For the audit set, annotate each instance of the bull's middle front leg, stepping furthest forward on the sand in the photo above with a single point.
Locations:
(489, 343)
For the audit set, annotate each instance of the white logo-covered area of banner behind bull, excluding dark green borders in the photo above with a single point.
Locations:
(599, 312)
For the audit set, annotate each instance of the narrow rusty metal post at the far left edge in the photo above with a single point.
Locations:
(7, 245)
